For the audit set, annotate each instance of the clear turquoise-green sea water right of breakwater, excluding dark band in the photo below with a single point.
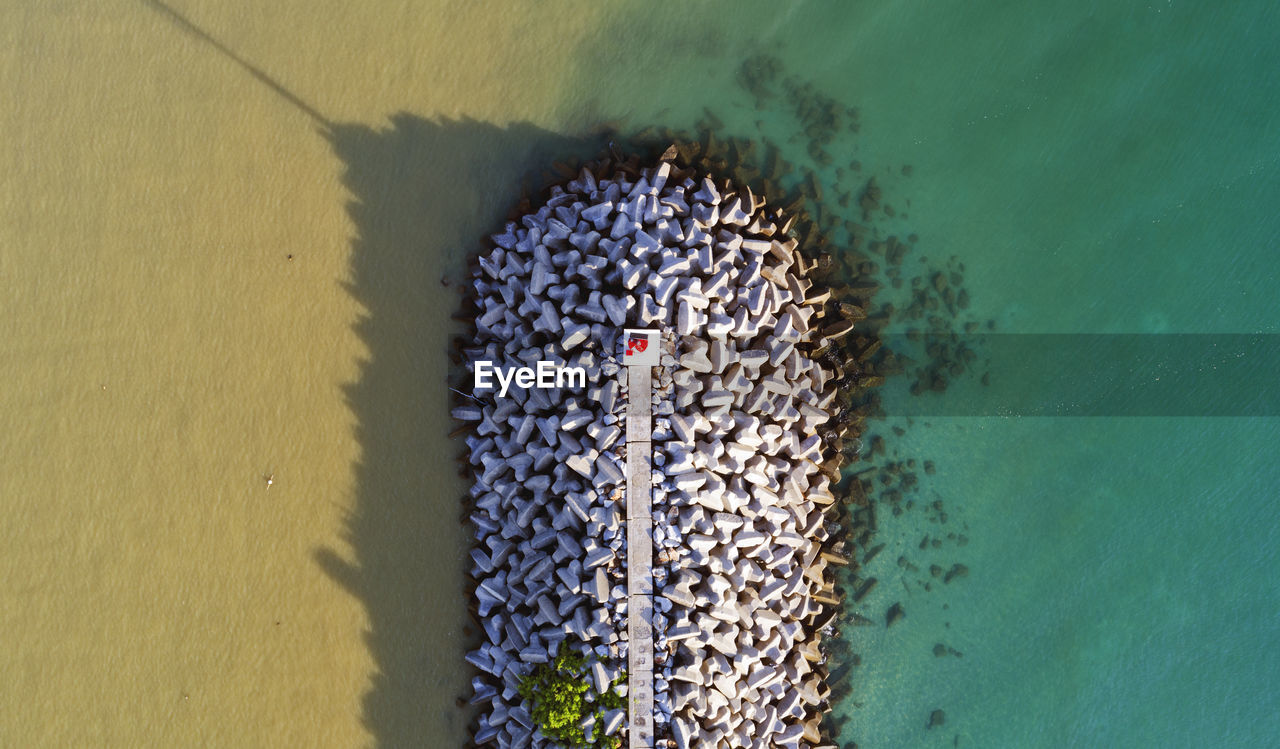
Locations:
(1099, 168)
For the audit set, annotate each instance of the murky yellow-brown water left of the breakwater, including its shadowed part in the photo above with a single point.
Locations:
(162, 355)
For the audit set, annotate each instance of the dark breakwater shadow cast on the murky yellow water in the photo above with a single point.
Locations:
(423, 195)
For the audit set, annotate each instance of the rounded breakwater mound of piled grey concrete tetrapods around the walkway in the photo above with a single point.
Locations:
(748, 417)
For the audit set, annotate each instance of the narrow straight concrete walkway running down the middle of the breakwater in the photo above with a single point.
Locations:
(641, 555)
